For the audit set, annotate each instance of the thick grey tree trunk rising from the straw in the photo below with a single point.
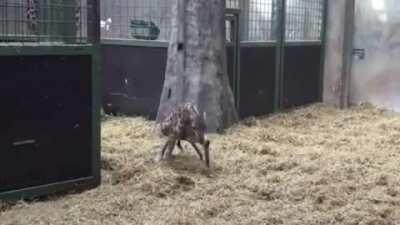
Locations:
(196, 67)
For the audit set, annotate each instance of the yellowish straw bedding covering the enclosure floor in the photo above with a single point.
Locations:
(316, 165)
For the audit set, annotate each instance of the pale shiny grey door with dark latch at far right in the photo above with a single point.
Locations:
(376, 52)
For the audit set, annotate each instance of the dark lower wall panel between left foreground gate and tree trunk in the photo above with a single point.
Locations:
(133, 79)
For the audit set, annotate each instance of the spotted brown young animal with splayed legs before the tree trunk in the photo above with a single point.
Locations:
(185, 123)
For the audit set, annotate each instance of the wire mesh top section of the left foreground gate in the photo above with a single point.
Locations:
(44, 21)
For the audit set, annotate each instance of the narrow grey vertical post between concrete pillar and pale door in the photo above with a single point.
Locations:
(347, 53)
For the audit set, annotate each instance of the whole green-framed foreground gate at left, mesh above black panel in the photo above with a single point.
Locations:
(51, 134)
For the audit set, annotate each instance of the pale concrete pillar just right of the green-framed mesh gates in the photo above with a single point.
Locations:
(334, 52)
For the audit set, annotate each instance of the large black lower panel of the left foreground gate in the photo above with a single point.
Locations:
(46, 120)
